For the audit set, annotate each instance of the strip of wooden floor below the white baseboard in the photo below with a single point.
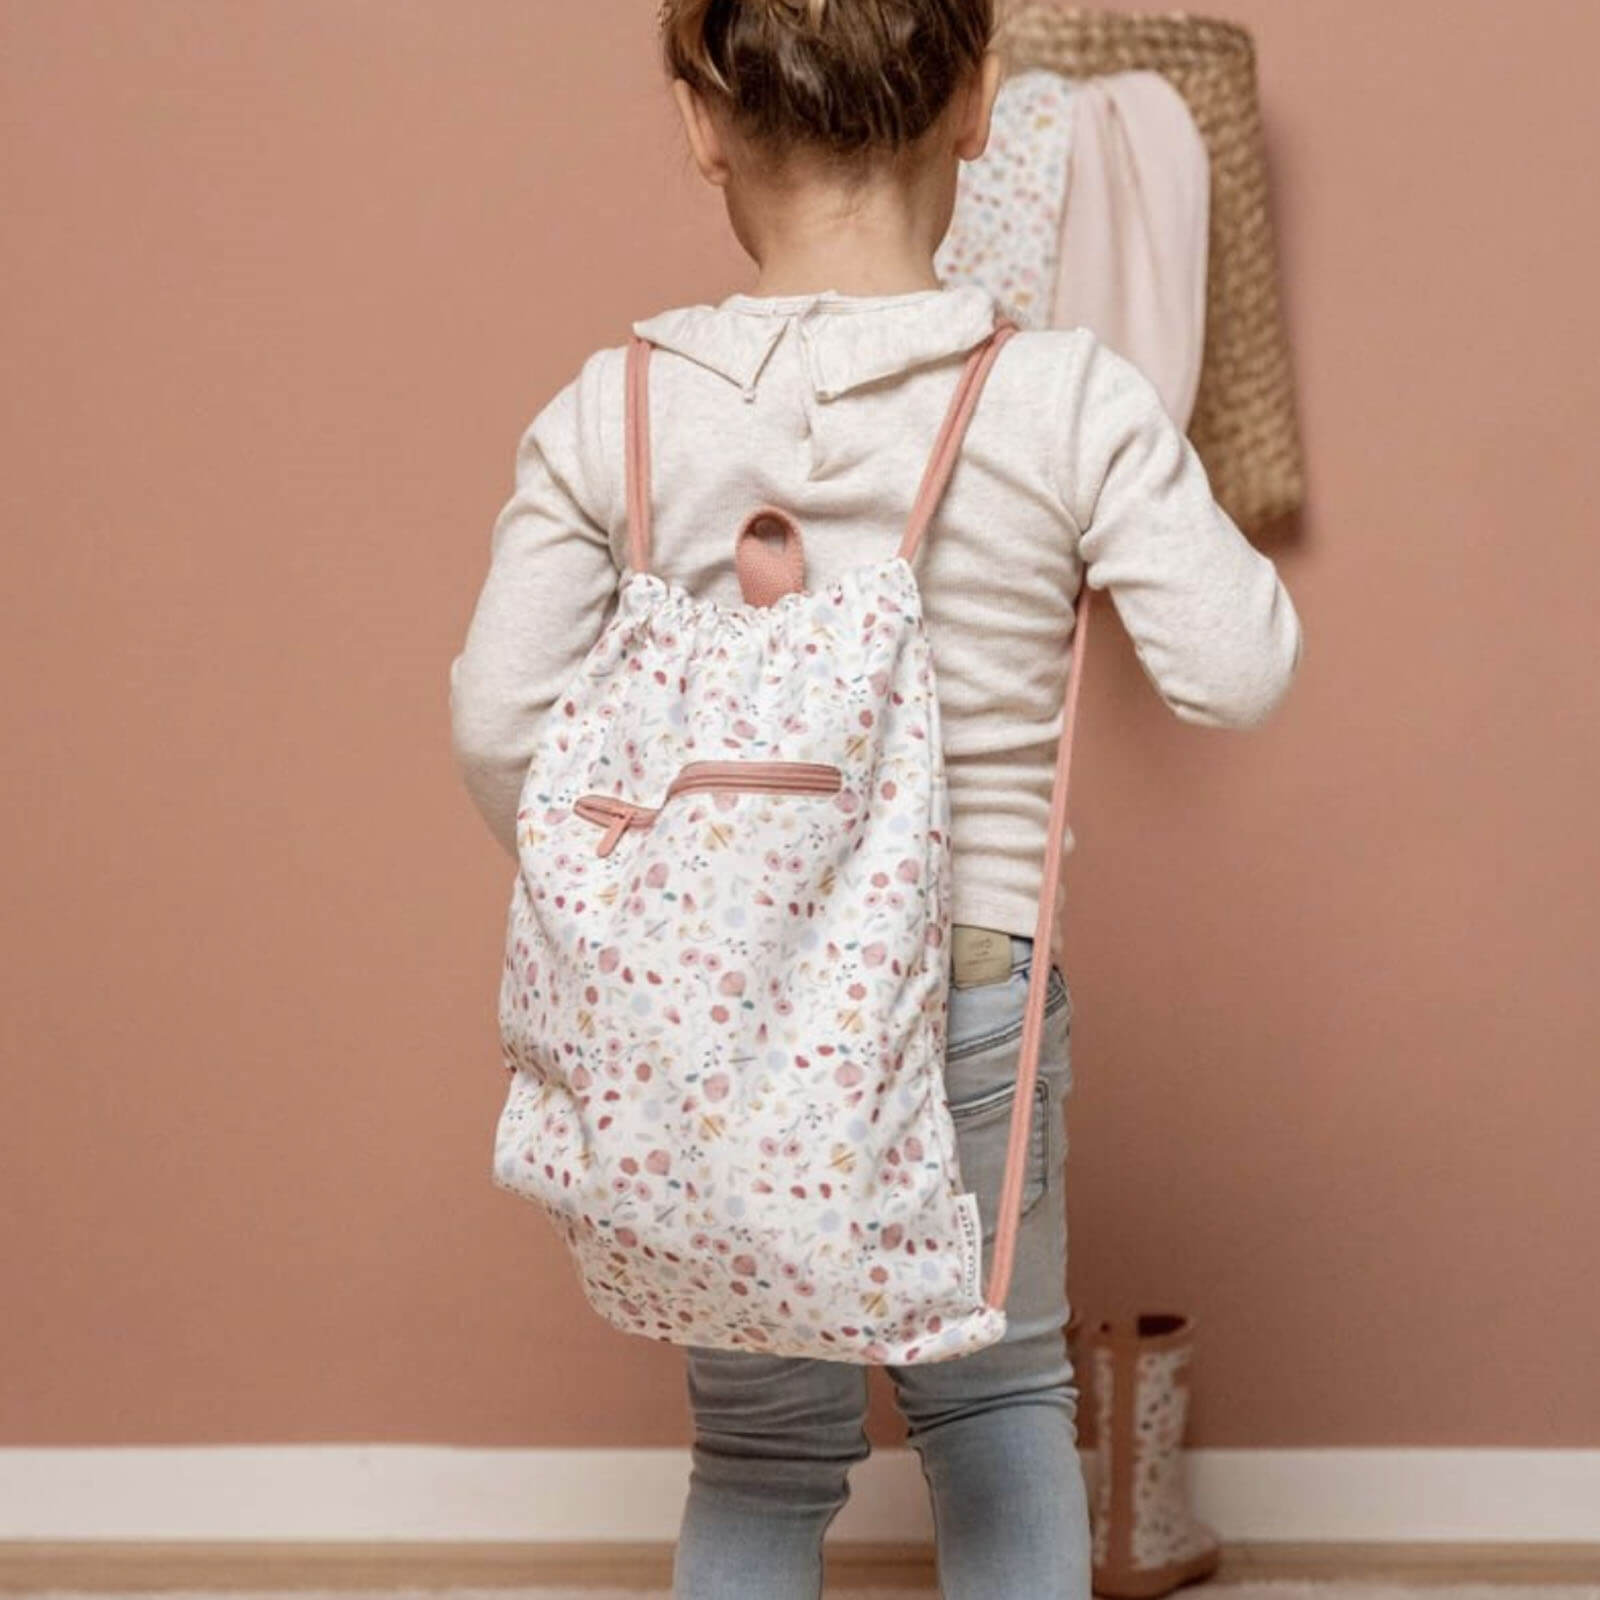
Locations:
(134, 1567)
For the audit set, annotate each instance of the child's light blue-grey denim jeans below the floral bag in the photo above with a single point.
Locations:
(996, 1431)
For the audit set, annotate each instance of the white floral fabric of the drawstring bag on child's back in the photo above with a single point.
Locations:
(726, 1031)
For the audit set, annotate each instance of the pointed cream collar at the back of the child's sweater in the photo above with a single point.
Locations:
(849, 340)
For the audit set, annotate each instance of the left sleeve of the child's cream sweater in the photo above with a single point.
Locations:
(550, 591)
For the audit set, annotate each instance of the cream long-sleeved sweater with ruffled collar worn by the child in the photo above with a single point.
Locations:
(828, 406)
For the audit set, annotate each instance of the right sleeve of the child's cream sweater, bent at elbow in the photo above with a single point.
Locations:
(1209, 617)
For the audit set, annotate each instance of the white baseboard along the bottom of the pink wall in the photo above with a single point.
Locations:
(436, 1492)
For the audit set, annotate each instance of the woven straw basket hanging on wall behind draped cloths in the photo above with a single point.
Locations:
(1244, 425)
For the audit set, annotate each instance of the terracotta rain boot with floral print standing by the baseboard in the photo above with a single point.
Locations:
(1146, 1538)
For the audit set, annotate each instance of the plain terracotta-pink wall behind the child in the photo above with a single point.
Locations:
(284, 282)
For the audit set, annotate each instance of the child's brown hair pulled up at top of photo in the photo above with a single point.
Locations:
(847, 81)
